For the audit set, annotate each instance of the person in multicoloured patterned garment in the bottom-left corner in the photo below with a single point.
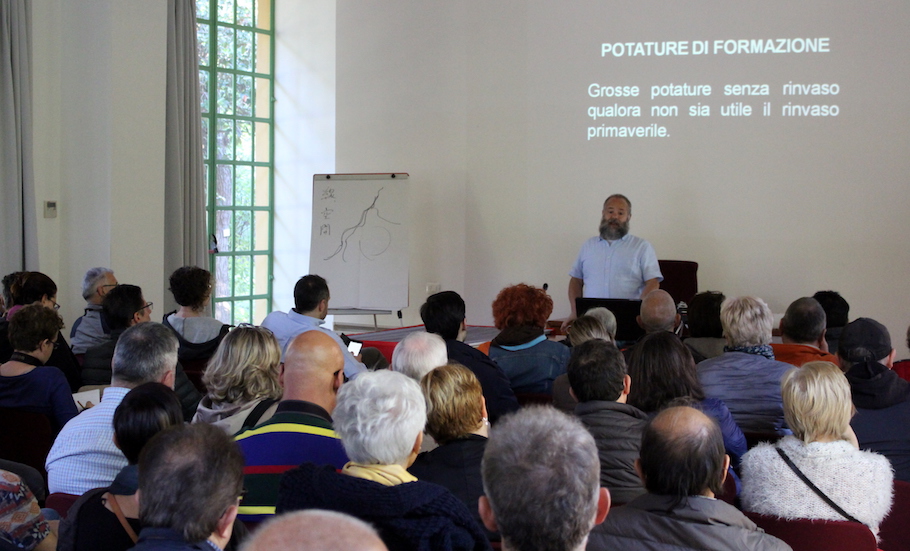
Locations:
(22, 525)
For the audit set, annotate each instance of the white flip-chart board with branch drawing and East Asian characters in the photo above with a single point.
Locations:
(360, 239)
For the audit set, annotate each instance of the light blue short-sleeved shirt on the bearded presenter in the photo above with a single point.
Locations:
(616, 269)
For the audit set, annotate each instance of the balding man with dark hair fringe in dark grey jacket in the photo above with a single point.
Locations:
(683, 467)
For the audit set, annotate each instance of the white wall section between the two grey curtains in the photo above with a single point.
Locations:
(99, 142)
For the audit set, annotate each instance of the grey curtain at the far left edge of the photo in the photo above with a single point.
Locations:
(18, 224)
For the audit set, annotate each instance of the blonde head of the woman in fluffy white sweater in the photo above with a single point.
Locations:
(818, 404)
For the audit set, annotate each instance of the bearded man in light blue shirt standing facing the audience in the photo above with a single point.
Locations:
(614, 264)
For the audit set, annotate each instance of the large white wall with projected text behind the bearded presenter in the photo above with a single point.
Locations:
(478, 102)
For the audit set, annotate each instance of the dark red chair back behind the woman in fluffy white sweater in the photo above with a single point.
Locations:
(817, 535)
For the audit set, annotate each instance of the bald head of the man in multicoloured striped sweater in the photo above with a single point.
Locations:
(313, 369)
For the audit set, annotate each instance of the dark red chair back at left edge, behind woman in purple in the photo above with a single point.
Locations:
(27, 437)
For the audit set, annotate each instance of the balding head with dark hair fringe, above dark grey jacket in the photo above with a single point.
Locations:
(682, 454)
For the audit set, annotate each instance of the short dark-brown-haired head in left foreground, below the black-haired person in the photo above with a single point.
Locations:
(190, 480)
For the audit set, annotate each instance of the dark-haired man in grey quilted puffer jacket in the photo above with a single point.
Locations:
(598, 379)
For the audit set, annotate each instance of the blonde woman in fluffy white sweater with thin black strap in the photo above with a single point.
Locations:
(818, 408)
